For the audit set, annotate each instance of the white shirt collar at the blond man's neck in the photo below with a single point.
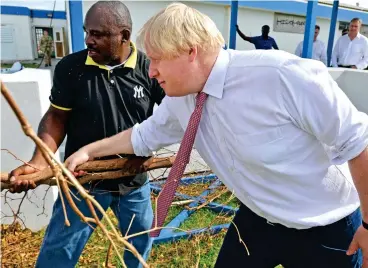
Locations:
(216, 80)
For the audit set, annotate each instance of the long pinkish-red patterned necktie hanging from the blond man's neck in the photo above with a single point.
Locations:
(182, 159)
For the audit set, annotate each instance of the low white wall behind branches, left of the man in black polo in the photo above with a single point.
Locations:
(30, 89)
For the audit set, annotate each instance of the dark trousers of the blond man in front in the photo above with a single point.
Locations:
(272, 244)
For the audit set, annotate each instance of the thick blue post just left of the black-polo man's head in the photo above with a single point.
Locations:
(76, 24)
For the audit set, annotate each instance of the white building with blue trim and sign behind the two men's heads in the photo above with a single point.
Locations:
(285, 18)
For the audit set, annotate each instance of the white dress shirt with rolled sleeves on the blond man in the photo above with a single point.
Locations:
(273, 129)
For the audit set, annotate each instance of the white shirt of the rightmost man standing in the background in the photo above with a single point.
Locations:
(351, 52)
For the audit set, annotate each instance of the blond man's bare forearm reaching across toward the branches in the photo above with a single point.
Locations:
(117, 144)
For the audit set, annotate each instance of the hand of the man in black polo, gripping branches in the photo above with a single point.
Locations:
(18, 186)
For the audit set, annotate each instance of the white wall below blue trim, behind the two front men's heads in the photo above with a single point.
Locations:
(250, 22)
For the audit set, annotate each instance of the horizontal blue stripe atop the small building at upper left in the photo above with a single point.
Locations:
(33, 13)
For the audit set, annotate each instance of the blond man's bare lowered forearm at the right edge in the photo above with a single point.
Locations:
(359, 171)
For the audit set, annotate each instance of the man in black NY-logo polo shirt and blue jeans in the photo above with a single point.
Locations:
(97, 93)
